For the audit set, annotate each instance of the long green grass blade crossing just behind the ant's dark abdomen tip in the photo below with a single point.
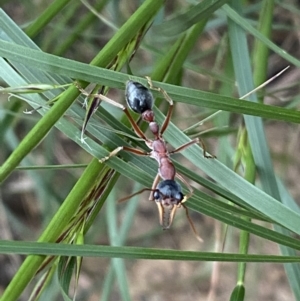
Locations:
(65, 67)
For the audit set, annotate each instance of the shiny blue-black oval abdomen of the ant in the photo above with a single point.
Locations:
(138, 97)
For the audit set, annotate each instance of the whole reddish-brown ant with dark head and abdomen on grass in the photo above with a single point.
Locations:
(167, 193)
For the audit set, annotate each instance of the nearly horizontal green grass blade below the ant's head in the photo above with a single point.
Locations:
(26, 248)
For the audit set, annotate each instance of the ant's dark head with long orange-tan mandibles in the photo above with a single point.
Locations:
(168, 197)
